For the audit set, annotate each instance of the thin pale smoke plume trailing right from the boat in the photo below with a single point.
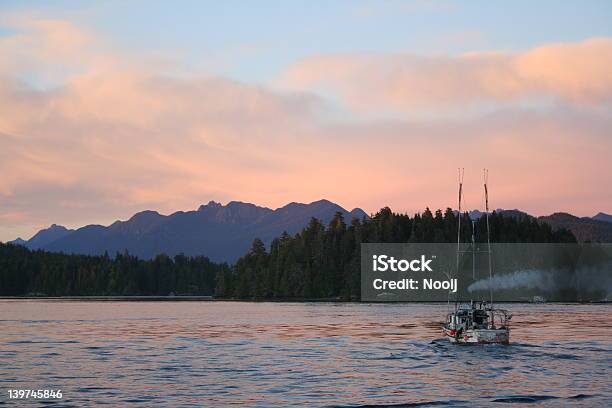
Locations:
(528, 279)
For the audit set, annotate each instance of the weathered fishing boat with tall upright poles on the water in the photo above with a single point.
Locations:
(476, 321)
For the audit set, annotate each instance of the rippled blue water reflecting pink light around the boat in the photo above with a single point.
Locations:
(220, 353)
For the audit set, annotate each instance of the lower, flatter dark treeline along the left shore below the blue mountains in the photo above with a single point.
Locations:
(40, 273)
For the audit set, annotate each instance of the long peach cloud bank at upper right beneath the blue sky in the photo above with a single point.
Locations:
(575, 72)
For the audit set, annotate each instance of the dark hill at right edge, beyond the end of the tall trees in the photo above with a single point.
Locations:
(585, 229)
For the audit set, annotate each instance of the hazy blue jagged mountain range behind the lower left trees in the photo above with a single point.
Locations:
(221, 232)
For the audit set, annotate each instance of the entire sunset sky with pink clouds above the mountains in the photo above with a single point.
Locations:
(108, 108)
